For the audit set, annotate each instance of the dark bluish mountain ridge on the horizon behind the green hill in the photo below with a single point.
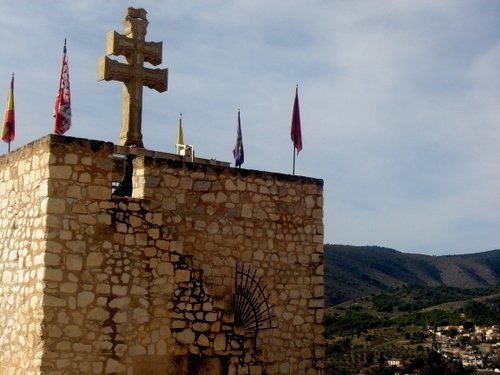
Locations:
(356, 271)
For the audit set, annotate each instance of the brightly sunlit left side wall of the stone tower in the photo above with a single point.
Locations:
(23, 214)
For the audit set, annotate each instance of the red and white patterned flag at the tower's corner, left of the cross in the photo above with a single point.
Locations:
(62, 106)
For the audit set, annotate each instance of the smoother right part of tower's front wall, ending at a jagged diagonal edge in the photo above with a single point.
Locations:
(271, 221)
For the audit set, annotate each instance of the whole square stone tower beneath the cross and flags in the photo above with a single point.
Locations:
(91, 283)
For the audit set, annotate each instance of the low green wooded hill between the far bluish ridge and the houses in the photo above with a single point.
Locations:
(430, 307)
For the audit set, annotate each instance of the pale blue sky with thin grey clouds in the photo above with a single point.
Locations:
(399, 100)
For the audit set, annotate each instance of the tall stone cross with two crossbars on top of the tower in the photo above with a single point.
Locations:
(132, 73)
